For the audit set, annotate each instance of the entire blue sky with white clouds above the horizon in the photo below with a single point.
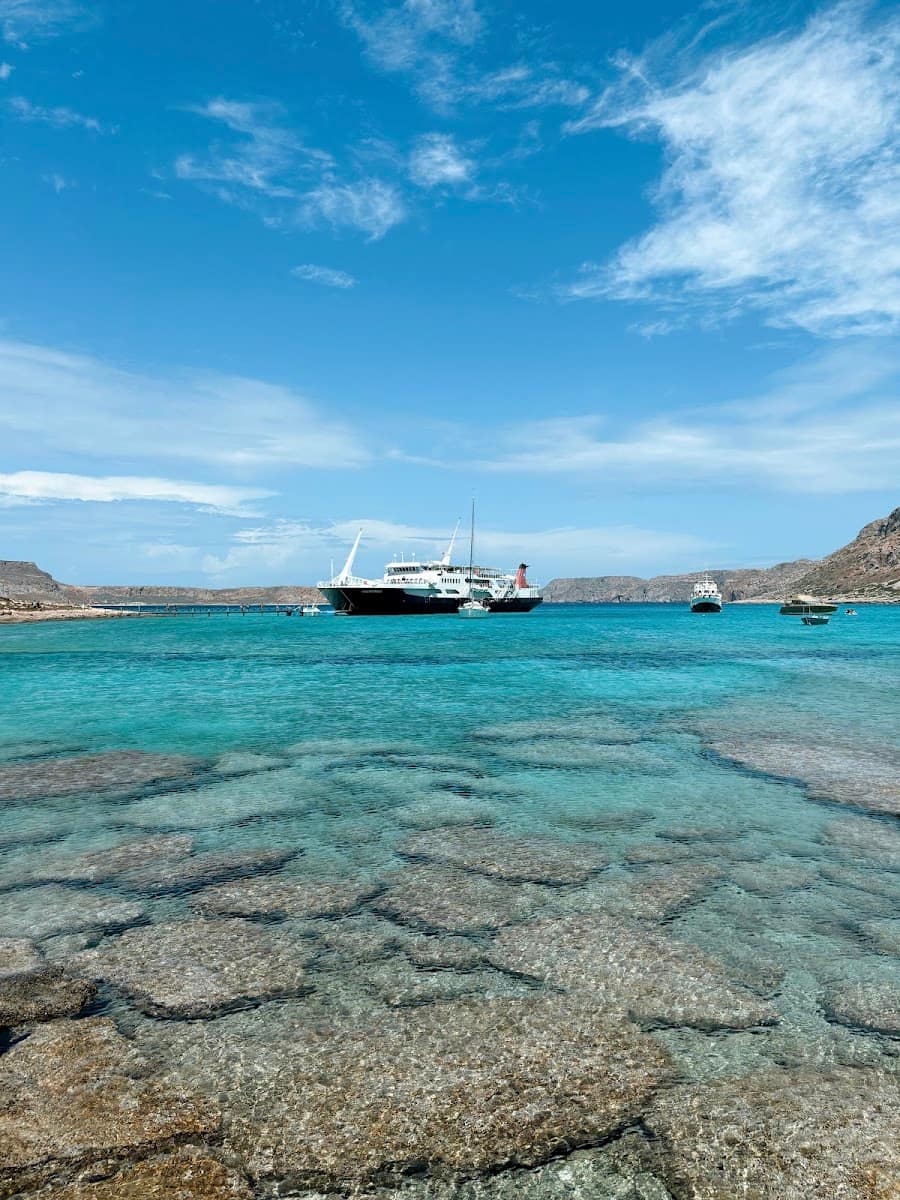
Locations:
(273, 272)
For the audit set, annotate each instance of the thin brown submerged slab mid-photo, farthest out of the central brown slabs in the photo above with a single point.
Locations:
(537, 860)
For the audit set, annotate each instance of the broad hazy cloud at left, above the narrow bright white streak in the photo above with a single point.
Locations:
(85, 406)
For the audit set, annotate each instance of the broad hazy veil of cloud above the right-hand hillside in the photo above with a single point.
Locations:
(830, 427)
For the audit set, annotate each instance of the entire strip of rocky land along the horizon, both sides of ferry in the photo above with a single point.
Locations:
(868, 569)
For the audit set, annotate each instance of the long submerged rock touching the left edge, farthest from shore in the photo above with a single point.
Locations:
(118, 771)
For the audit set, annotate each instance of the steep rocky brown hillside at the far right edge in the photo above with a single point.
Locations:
(868, 567)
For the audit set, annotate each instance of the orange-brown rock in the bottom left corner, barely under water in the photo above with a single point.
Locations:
(71, 1097)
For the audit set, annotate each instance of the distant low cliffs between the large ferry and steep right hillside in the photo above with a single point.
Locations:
(740, 585)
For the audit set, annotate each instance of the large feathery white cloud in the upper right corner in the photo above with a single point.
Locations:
(783, 182)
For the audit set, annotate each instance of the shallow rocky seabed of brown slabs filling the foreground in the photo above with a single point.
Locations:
(357, 969)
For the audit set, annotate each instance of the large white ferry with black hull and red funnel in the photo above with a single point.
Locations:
(430, 586)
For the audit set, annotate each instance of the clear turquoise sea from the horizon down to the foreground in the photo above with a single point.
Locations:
(599, 902)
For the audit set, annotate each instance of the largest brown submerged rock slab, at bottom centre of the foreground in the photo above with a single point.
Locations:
(466, 1085)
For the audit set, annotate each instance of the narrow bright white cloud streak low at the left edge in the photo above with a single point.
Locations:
(37, 487)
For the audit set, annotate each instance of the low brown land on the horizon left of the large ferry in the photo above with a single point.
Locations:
(27, 583)
